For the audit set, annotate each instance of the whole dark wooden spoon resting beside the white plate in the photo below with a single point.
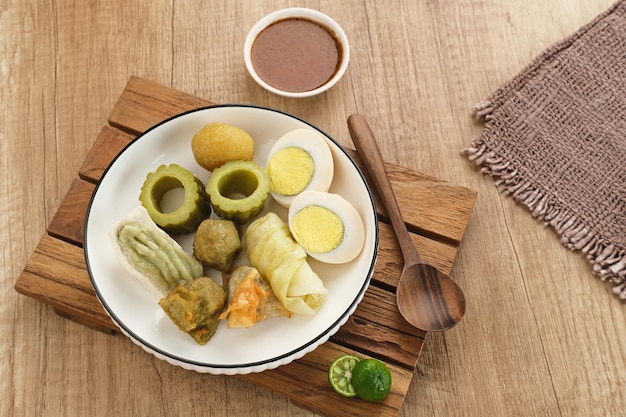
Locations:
(426, 298)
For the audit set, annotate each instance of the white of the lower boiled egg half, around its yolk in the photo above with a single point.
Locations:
(354, 230)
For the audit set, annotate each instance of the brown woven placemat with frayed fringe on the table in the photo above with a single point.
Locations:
(554, 138)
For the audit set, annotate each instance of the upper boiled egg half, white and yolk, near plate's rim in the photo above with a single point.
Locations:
(299, 160)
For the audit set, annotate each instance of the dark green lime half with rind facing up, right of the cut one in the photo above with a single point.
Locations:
(371, 380)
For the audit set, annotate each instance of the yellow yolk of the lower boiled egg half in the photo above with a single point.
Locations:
(317, 229)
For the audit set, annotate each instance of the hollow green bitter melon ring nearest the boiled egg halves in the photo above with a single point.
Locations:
(238, 190)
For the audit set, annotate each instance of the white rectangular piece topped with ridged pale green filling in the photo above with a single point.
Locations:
(150, 255)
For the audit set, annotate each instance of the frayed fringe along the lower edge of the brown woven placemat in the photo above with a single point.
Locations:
(608, 260)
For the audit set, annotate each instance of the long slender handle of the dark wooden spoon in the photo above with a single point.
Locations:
(365, 143)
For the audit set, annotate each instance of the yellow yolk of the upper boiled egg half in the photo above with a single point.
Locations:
(290, 170)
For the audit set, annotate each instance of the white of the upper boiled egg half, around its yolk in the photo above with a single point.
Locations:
(315, 145)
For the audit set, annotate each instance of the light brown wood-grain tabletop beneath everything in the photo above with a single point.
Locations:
(542, 336)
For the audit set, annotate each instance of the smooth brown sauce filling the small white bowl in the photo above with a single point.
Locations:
(296, 55)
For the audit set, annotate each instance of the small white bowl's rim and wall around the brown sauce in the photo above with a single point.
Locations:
(308, 14)
